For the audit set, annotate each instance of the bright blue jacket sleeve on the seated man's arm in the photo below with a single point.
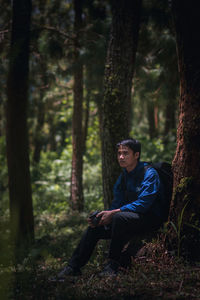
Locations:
(147, 194)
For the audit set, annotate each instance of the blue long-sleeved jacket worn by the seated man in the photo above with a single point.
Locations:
(142, 196)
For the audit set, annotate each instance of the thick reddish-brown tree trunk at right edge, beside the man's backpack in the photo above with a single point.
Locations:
(186, 163)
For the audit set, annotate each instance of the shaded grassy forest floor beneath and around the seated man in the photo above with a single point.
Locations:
(152, 276)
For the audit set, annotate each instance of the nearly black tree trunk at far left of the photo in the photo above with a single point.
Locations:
(21, 210)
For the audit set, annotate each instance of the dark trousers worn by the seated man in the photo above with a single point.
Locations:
(124, 226)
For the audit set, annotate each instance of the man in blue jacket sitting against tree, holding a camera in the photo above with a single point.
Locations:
(135, 209)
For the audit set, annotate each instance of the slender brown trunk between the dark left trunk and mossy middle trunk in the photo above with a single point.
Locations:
(77, 139)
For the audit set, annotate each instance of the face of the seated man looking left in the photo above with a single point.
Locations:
(127, 158)
